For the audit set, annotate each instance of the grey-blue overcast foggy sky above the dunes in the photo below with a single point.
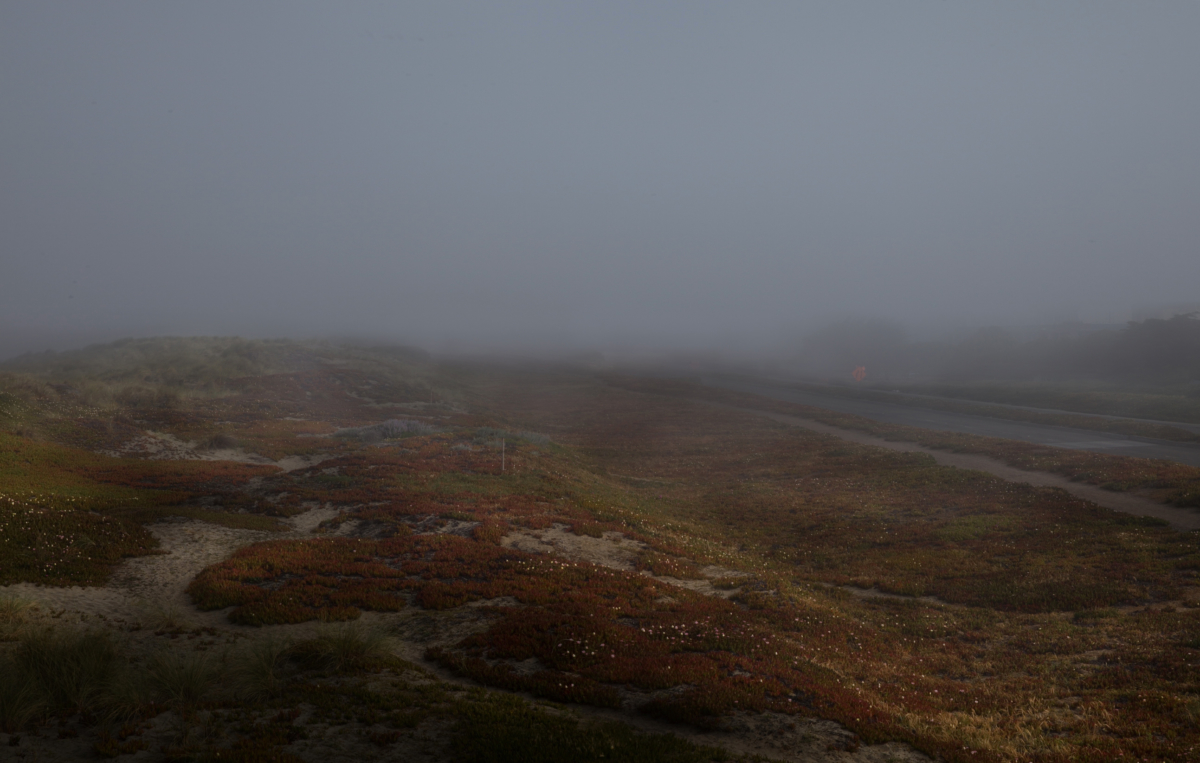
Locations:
(465, 176)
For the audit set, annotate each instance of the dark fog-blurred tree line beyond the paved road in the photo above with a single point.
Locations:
(1154, 351)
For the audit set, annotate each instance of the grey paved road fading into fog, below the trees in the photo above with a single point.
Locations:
(970, 424)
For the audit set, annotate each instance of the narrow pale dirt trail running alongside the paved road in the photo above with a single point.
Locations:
(1126, 503)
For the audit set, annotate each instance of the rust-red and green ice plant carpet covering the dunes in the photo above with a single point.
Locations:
(771, 572)
